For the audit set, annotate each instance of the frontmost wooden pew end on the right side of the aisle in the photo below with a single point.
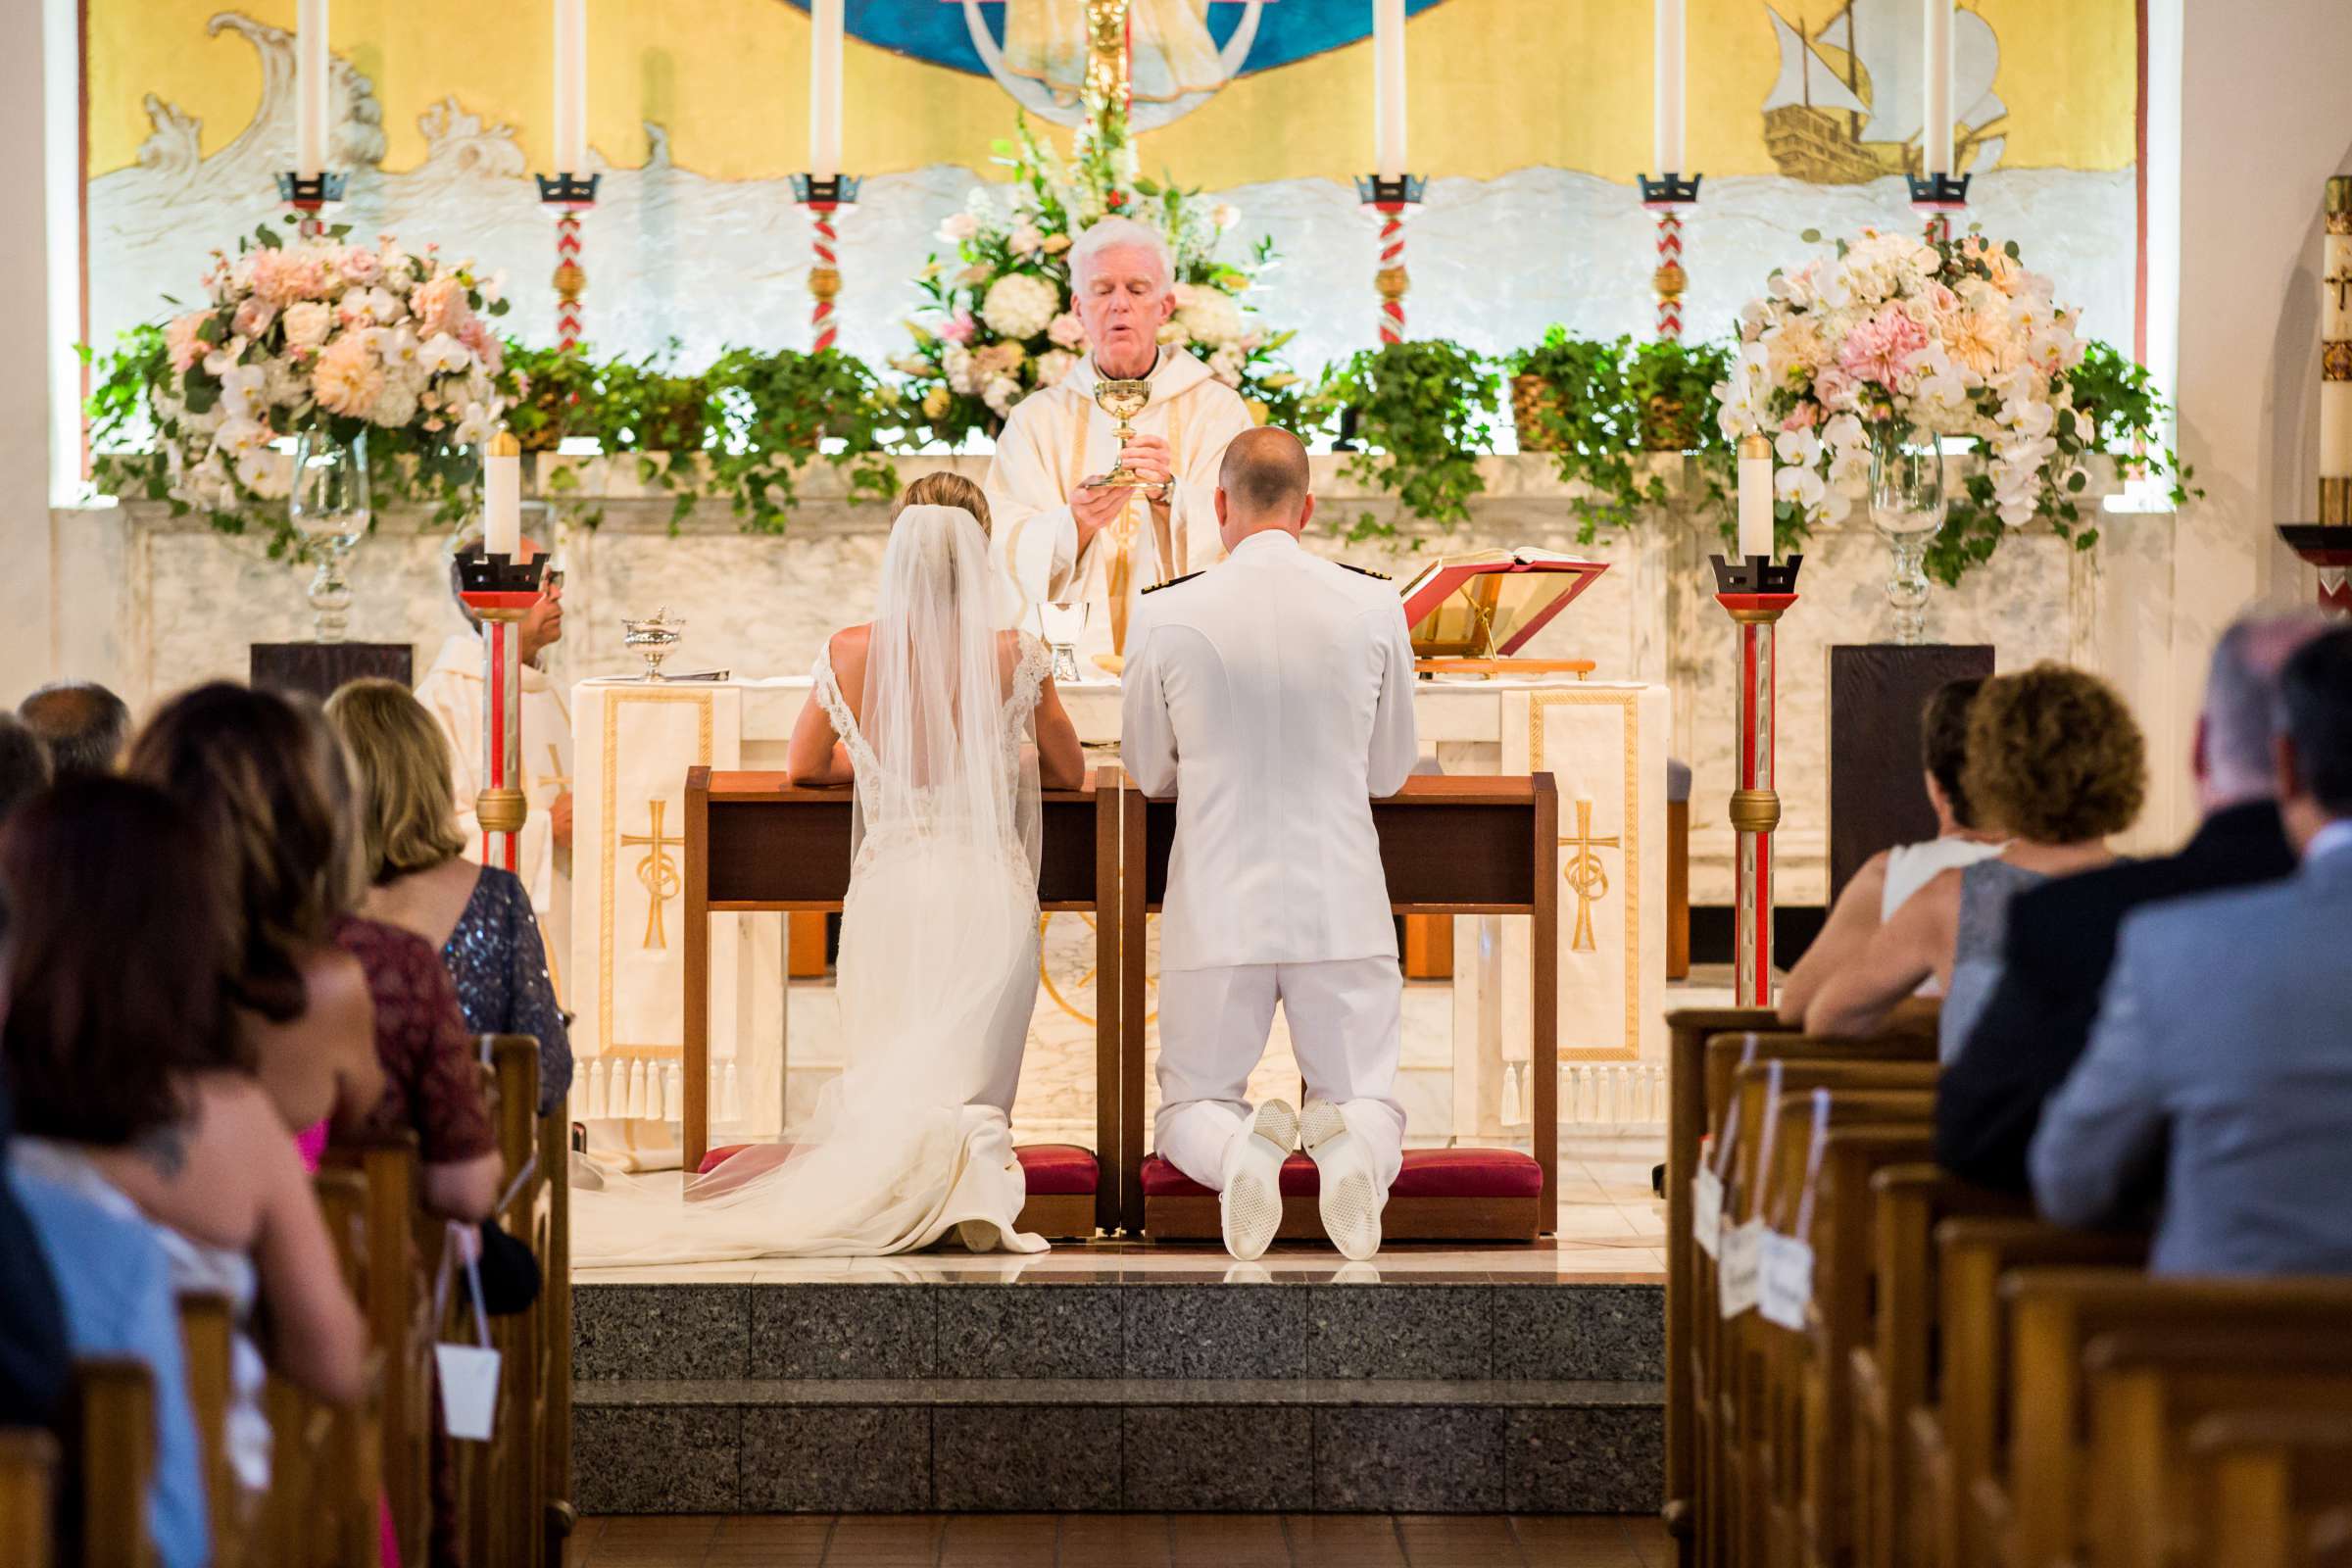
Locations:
(1688, 1033)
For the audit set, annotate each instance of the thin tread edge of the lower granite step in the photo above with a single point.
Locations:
(1118, 1393)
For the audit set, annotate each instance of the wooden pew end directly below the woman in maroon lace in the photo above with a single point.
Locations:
(396, 1301)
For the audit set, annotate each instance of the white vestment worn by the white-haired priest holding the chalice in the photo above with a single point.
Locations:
(1055, 441)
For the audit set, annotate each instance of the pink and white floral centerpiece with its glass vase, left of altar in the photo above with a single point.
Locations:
(347, 354)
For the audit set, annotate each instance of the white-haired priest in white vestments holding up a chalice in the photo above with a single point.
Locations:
(1057, 532)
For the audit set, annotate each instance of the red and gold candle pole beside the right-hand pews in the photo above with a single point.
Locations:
(1756, 594)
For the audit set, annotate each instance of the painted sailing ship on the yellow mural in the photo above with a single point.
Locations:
(1847, 105)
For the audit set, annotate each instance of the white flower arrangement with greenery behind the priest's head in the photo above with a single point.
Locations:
(998, 323)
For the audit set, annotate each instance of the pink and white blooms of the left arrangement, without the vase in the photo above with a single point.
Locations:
(319, 335)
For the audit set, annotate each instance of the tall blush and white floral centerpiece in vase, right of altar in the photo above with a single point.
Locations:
(1864, 361)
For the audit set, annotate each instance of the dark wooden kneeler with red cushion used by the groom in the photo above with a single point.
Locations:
(1450, 845)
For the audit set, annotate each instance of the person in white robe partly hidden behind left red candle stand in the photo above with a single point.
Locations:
(453, 692)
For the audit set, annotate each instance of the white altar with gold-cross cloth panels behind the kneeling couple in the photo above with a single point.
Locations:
(775, 1043)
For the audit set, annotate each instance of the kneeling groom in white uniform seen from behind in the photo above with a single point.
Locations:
(1274, 697)
